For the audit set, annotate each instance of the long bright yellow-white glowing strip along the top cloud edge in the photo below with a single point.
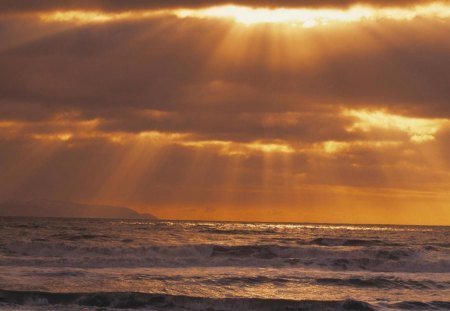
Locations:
(248, 15)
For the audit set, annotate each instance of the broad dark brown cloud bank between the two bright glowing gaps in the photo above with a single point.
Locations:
(180, 66)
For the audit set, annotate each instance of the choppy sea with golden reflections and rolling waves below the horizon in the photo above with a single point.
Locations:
(61, 264)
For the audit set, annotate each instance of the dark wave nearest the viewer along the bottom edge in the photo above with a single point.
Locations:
(134, 300)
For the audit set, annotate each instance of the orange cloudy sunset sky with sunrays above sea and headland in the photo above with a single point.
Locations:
(290, 110)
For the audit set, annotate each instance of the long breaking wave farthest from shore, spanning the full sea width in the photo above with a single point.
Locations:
(126, 254)
